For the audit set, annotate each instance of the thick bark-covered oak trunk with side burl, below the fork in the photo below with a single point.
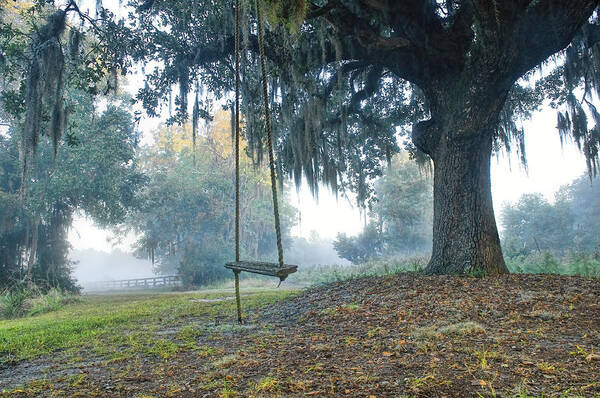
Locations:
(458, 138)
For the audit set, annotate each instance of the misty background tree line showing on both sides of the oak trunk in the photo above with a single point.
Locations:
(537, 235)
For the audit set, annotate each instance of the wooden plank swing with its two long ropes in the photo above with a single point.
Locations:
(278, 269)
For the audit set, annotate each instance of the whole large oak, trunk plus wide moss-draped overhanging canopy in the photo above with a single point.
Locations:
(351, 79)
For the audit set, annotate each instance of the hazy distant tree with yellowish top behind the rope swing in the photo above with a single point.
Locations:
(186, 217)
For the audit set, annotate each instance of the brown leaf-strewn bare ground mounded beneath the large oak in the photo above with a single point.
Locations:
(401, 335)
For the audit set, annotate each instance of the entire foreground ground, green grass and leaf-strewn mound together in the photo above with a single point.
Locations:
(187, 343)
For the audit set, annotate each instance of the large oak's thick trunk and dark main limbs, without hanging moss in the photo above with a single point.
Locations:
(465, 60)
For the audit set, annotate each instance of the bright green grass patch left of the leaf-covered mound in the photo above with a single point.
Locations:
(121, 325)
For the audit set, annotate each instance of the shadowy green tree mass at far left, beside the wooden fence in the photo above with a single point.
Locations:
(93, 171)
